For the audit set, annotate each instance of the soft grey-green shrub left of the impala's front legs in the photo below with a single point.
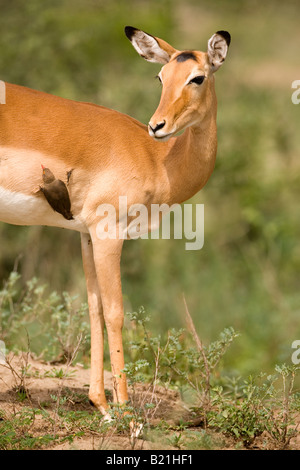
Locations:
(51, 322)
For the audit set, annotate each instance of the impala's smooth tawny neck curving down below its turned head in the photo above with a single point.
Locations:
(191, 160)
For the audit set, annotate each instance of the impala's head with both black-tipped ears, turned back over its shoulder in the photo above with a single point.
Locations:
(187, 79)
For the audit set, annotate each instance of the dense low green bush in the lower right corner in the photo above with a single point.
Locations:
(262, 406)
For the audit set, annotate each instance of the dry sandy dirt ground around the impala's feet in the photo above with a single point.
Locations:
(45, 384)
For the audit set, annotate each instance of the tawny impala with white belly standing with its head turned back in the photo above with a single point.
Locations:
(106, 155)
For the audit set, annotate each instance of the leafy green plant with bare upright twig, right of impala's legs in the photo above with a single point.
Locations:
(177, 360)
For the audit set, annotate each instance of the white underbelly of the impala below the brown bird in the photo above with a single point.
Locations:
(21, 209)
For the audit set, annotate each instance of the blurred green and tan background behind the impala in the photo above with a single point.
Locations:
(247, 274)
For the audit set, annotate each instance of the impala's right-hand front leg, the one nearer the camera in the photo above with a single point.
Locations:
(107, 257)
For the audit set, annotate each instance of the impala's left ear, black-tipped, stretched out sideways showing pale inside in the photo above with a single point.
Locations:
(150, 48)
